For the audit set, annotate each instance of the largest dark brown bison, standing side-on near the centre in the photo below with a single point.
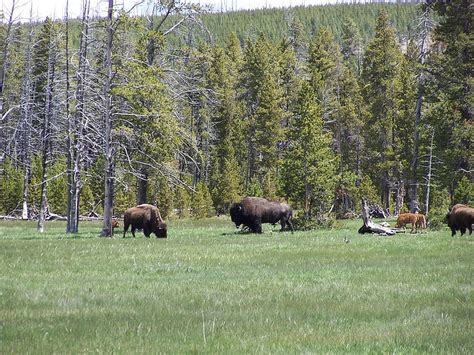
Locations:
(253, 211)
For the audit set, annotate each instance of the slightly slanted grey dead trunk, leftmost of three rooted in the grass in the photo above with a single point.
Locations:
(46, 131)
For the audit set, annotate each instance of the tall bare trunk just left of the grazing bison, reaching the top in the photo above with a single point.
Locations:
(109, 156)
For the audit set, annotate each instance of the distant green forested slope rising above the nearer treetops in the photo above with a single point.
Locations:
(274, 22)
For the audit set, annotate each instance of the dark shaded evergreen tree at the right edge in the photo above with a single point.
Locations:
(451, 93)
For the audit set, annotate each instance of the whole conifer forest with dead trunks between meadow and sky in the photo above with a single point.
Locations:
(319, 106)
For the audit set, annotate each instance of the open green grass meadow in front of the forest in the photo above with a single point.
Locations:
(208, 289)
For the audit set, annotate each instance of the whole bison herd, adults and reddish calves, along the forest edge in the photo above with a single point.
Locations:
(252, 212)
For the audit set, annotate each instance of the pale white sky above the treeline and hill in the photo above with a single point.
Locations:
(56, 8)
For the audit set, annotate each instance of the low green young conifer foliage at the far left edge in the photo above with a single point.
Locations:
(11, 187)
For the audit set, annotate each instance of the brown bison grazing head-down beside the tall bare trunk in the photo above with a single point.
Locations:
(146, 217)
